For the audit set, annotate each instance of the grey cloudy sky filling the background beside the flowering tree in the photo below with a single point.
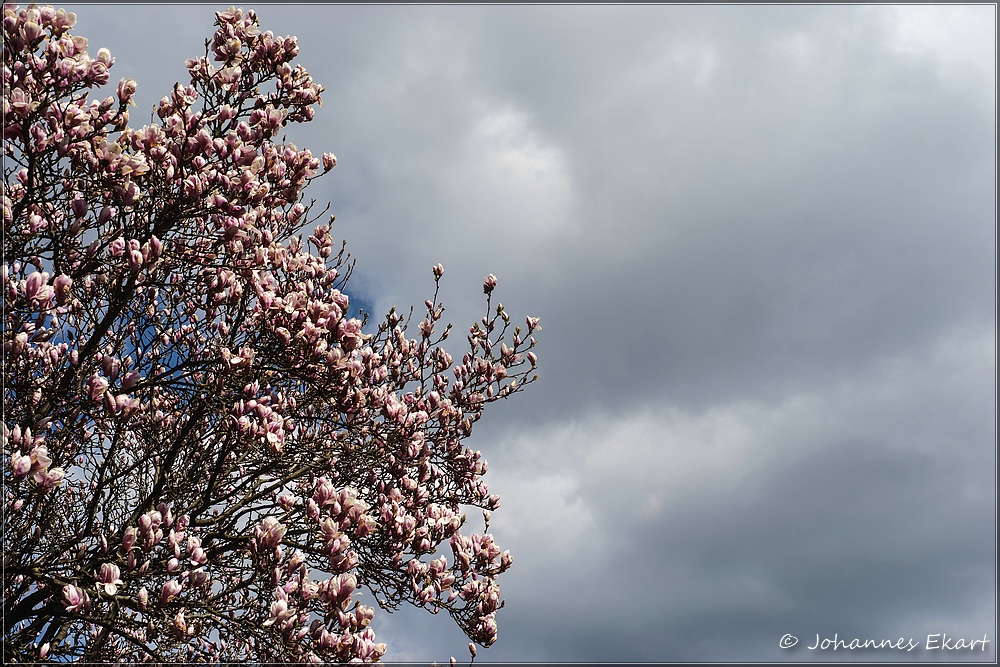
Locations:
(762, 244)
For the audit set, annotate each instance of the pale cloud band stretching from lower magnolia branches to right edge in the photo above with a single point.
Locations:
(562, 482)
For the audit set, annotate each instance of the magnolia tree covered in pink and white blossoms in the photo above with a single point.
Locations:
(204, 457)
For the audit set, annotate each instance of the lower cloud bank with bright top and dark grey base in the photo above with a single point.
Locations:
(708, 536)
